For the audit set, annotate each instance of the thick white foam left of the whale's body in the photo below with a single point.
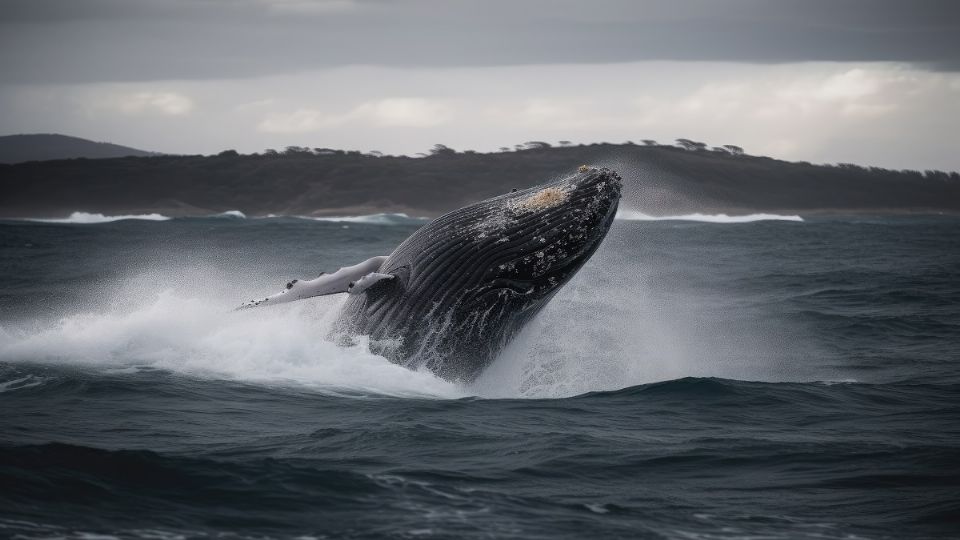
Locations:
(284, 345)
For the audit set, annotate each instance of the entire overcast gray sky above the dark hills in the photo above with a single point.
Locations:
(869, 81)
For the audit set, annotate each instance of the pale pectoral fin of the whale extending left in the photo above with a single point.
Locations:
(353, 279)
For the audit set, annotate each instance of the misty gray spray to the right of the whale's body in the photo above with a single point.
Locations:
(624, 321)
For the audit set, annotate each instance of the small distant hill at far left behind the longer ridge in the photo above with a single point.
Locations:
(43, 147)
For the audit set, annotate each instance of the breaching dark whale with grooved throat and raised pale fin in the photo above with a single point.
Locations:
(454, 293)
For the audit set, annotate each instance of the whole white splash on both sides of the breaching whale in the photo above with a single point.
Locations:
(609, 328)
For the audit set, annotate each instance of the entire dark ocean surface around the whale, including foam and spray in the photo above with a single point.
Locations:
(769, 379)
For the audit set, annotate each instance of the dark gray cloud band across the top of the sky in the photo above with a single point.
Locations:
(66, 41)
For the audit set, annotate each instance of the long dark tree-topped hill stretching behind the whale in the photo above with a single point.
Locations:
(659, 180)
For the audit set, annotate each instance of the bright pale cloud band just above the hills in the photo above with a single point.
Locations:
(891, 115)
